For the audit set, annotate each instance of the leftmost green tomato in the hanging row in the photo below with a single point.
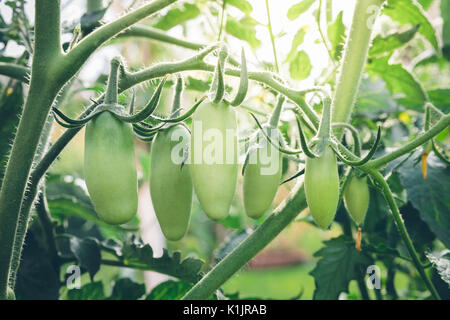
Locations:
(110, 168)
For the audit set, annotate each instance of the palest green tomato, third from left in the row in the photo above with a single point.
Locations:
(214, 158)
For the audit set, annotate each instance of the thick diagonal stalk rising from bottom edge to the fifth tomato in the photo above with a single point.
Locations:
(248, 248)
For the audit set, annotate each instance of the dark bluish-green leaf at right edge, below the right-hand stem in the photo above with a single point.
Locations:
(429, 196)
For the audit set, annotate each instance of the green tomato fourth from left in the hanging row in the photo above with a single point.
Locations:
(261, 179)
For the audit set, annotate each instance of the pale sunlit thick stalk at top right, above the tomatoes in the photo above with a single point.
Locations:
(355, 56)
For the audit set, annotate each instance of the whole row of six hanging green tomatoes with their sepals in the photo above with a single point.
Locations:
(110, 165)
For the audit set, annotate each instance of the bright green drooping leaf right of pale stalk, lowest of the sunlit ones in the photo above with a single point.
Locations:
(402, 85)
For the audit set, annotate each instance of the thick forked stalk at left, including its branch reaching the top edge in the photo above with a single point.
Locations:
(50, 71)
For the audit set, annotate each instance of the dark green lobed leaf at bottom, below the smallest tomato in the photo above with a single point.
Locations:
(339, 263)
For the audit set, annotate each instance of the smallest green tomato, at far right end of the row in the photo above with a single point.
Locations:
(356, 198)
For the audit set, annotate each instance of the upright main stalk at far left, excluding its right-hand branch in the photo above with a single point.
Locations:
(42, 92)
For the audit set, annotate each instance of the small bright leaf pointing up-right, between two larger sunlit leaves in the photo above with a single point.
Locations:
(391, 42)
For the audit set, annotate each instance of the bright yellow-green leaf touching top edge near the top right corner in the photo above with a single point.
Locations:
(409, 12)
